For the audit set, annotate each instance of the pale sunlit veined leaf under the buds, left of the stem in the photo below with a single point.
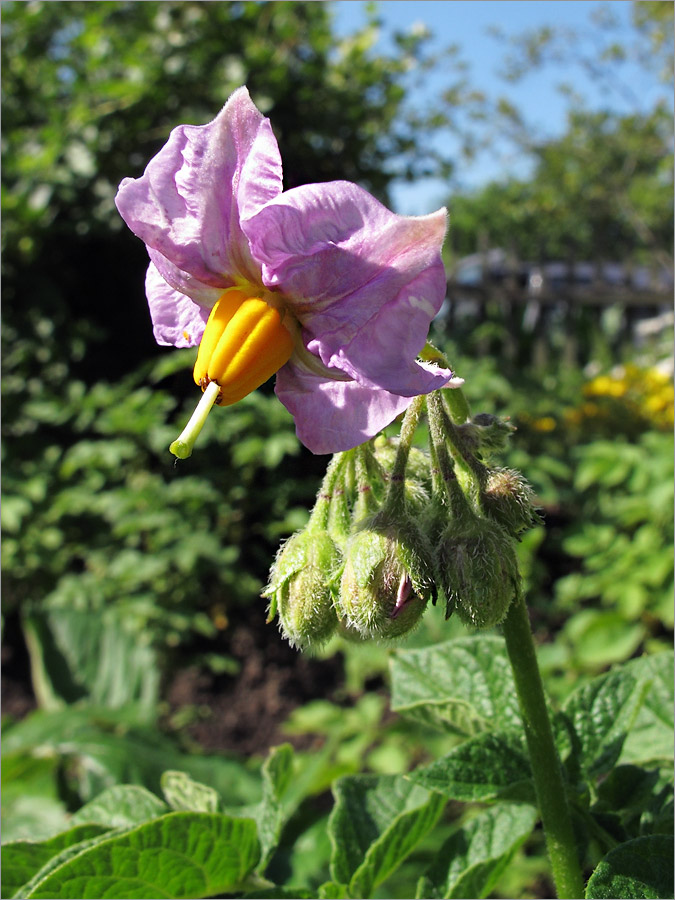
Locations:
(463, 686)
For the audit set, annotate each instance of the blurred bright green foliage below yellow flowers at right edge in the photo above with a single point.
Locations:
(622, 537)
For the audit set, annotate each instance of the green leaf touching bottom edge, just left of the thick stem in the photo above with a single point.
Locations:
(472, 859)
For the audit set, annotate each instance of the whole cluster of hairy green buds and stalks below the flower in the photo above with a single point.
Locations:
(394, 526)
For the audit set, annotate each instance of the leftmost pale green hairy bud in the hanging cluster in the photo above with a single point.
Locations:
(301, 588)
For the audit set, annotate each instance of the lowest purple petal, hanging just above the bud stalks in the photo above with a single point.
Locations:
(331, 416)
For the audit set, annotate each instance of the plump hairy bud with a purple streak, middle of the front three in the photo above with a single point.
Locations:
(385, 582)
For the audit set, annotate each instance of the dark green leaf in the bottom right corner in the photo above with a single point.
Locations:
(637, 869)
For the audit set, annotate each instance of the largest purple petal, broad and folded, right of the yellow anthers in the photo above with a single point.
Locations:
(364, 282)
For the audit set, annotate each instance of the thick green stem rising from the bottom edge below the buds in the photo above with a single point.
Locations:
(546, 766)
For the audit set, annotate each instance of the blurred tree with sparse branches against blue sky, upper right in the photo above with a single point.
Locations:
(603, 189)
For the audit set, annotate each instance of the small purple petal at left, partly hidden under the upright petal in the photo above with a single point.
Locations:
(176, 320)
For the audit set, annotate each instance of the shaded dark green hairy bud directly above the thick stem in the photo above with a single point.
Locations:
(479, 572)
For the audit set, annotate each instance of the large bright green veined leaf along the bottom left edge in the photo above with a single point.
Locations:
(175, 856)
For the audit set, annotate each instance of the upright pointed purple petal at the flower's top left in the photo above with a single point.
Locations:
(187, 204)
